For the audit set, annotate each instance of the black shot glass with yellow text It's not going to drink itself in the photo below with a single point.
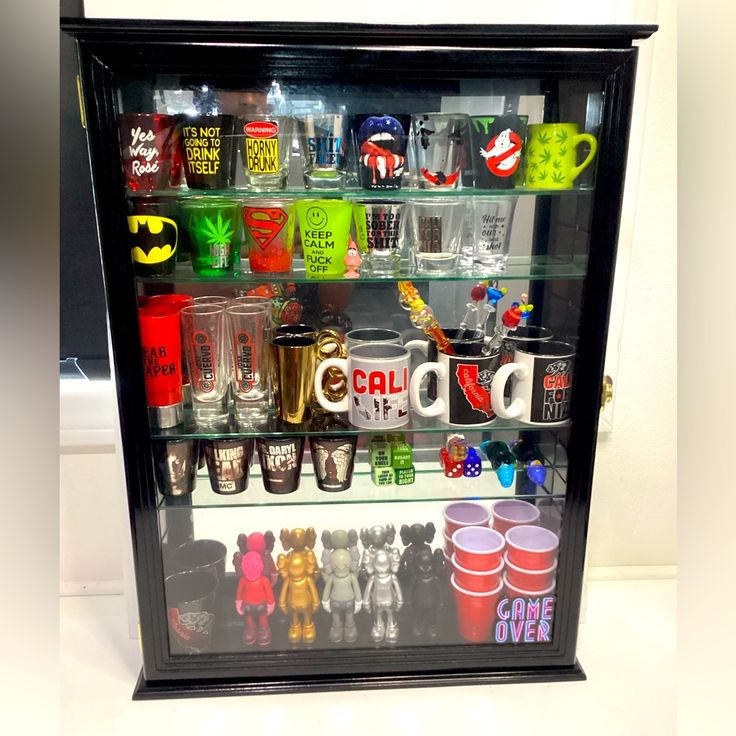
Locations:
(206, 145)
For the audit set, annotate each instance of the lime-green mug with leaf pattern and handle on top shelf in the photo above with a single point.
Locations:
(551, 155)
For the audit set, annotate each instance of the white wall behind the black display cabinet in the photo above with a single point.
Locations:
(633, 512)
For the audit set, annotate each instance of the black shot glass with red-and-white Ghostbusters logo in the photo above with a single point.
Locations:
(497, 148)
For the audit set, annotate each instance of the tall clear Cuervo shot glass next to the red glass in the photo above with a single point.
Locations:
(205, 345)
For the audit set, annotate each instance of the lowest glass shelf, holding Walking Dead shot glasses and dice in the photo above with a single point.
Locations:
(434, 486)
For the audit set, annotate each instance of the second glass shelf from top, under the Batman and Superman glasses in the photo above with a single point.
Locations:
(519, 268)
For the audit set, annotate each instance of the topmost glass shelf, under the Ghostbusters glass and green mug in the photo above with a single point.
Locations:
(352, 192)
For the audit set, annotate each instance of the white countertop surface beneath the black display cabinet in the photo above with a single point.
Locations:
(627, 647)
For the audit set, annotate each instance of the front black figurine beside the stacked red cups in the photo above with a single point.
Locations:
(426, 591)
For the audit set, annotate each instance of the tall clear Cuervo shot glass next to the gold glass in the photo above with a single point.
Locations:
(248, 330)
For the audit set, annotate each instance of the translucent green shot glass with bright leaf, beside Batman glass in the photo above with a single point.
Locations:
(213, 224)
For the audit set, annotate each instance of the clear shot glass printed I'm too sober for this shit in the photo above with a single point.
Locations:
(379, 226)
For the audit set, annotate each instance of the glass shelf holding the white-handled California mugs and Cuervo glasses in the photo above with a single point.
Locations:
(331, 424)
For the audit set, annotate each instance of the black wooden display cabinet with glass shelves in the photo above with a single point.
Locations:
(561, 255)
